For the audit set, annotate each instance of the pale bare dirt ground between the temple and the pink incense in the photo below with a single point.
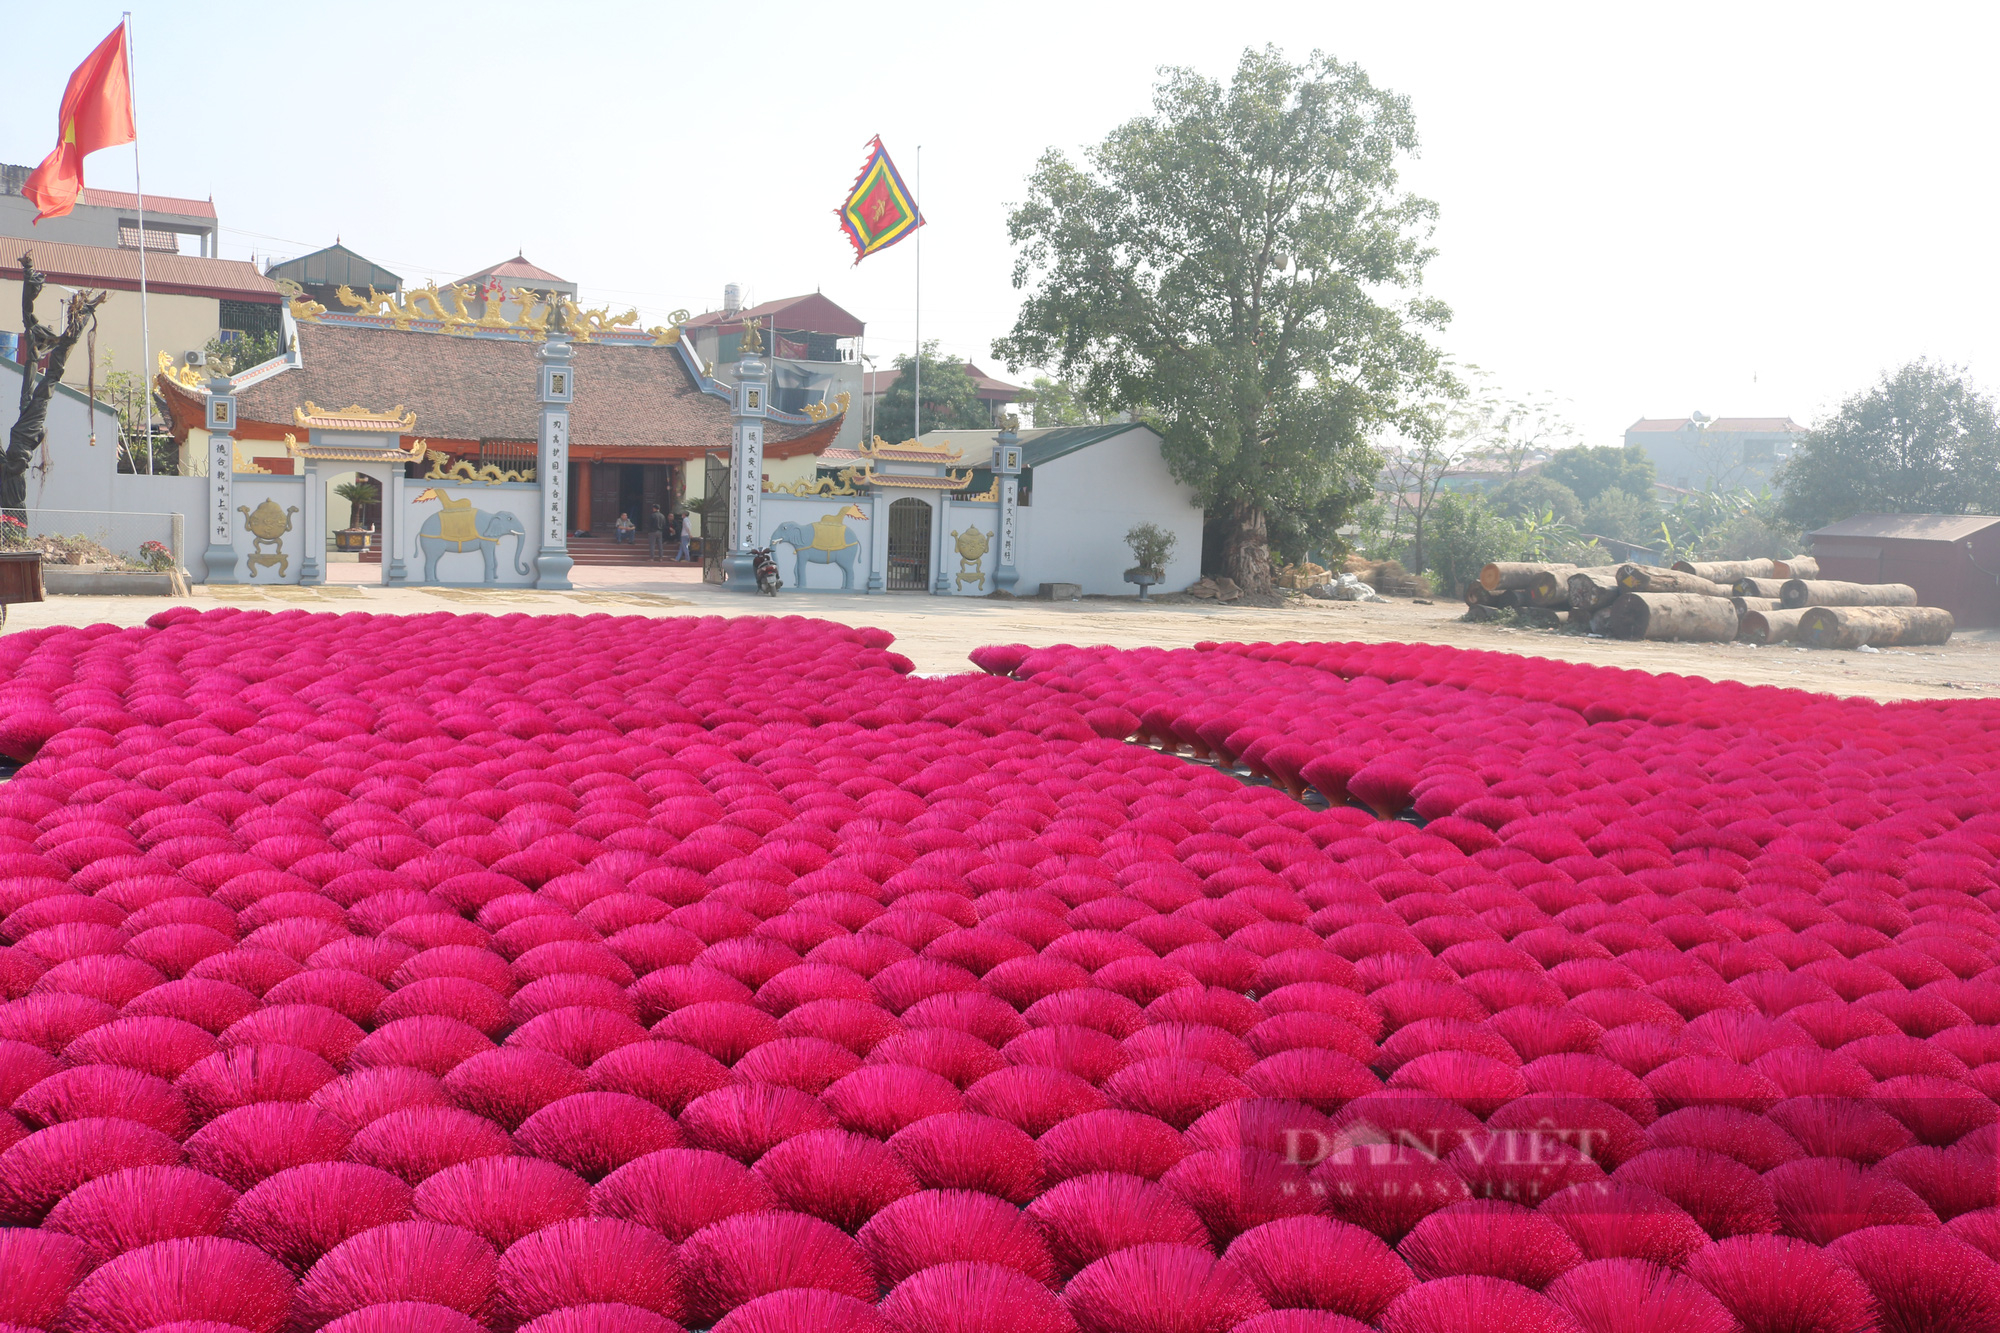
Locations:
(939, 631)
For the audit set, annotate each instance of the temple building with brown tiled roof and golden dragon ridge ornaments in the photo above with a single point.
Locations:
(647, 421)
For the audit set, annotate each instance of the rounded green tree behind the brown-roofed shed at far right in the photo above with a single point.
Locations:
(1923, 441)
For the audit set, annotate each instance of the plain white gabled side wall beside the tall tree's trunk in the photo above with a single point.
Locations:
(1087, 501)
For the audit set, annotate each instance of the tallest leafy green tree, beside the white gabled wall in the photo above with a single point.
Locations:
(1243, 269)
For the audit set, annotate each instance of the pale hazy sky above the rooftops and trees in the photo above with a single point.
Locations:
(1645, 211)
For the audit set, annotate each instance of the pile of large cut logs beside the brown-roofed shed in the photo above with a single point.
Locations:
(1717, 601)
